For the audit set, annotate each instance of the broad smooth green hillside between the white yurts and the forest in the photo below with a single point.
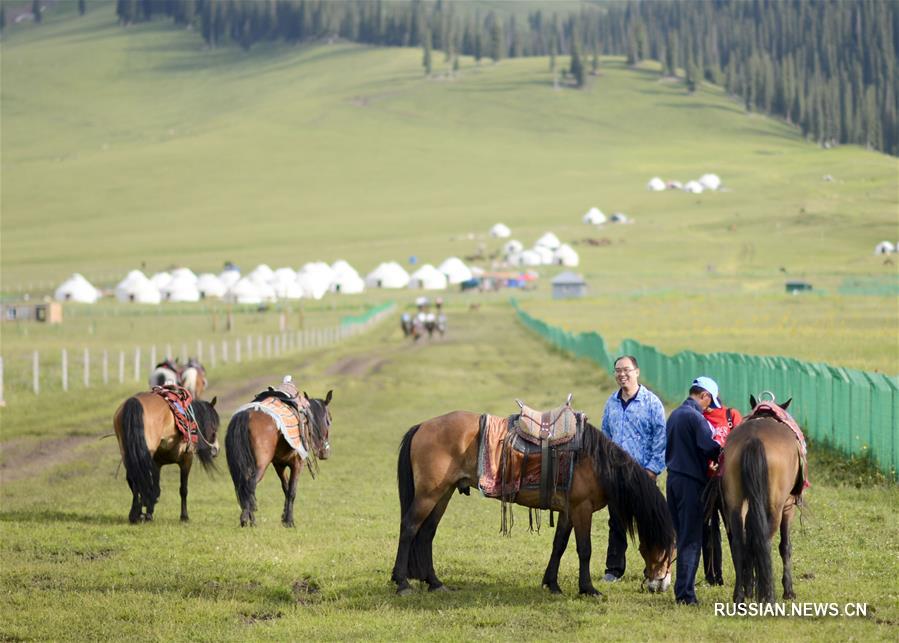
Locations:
(128, 145)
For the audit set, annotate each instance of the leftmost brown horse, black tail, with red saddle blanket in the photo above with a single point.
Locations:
(149, 439)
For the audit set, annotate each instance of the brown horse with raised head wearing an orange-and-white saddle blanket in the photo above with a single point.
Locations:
(254, 441)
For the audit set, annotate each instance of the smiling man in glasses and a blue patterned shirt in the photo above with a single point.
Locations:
(634, 418)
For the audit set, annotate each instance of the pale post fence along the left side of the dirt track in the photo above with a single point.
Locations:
(277, 345)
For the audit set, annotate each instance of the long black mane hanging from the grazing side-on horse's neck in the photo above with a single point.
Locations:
(619, 474)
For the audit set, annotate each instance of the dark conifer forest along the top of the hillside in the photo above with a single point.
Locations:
(826, 66)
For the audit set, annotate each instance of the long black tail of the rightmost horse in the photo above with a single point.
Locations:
(754, 478)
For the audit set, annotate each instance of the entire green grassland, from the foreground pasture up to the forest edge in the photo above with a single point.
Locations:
(130, 147)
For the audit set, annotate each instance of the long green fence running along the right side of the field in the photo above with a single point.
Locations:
(856, 412)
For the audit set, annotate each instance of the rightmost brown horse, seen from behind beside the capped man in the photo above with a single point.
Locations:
(762, 481)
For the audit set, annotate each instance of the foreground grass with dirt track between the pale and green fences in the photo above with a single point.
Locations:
(74, 569)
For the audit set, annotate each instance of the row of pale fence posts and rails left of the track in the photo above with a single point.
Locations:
(59, 371)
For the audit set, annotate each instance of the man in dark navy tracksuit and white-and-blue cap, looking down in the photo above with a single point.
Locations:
(688, 449)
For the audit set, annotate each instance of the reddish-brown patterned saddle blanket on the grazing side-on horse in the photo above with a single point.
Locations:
(521, 469)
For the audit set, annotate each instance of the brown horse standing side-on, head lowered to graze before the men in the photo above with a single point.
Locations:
(440, 456)
